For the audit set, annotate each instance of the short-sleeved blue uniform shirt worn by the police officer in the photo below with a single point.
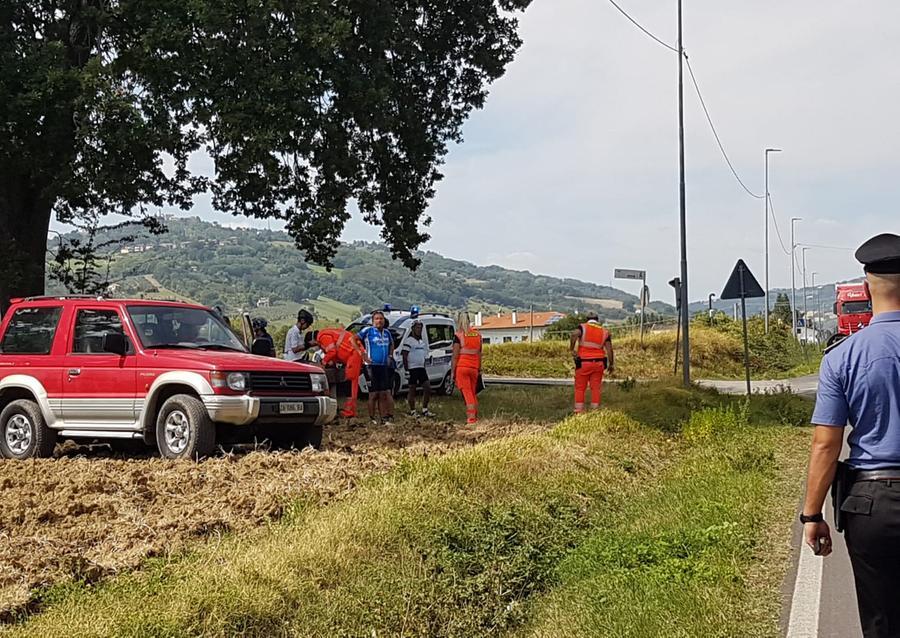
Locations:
(859, 384)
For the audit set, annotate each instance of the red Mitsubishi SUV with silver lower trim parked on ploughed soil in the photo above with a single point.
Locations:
(167, 373)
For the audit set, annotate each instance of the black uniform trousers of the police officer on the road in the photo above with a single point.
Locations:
(872, 531)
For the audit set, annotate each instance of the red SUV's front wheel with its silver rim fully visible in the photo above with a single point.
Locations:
(184, 429)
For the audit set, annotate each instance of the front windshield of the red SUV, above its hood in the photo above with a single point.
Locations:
(174, 327)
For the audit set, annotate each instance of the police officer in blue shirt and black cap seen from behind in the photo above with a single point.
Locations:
(859, 385)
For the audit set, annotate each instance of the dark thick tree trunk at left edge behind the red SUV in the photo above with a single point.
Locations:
(24, 222)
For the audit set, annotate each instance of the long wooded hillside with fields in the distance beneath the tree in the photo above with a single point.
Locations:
(241, 268)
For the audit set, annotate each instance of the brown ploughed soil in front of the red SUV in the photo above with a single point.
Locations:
(89, 513)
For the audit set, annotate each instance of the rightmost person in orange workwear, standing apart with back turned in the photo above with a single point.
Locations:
(592, 349)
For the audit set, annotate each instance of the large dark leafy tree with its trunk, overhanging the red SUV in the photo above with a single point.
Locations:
(305, 107)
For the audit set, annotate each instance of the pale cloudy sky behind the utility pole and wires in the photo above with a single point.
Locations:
(571, 169)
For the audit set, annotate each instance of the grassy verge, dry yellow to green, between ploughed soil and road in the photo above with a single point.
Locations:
(602, 526)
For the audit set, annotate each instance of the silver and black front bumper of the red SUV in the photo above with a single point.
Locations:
(245, 409)
